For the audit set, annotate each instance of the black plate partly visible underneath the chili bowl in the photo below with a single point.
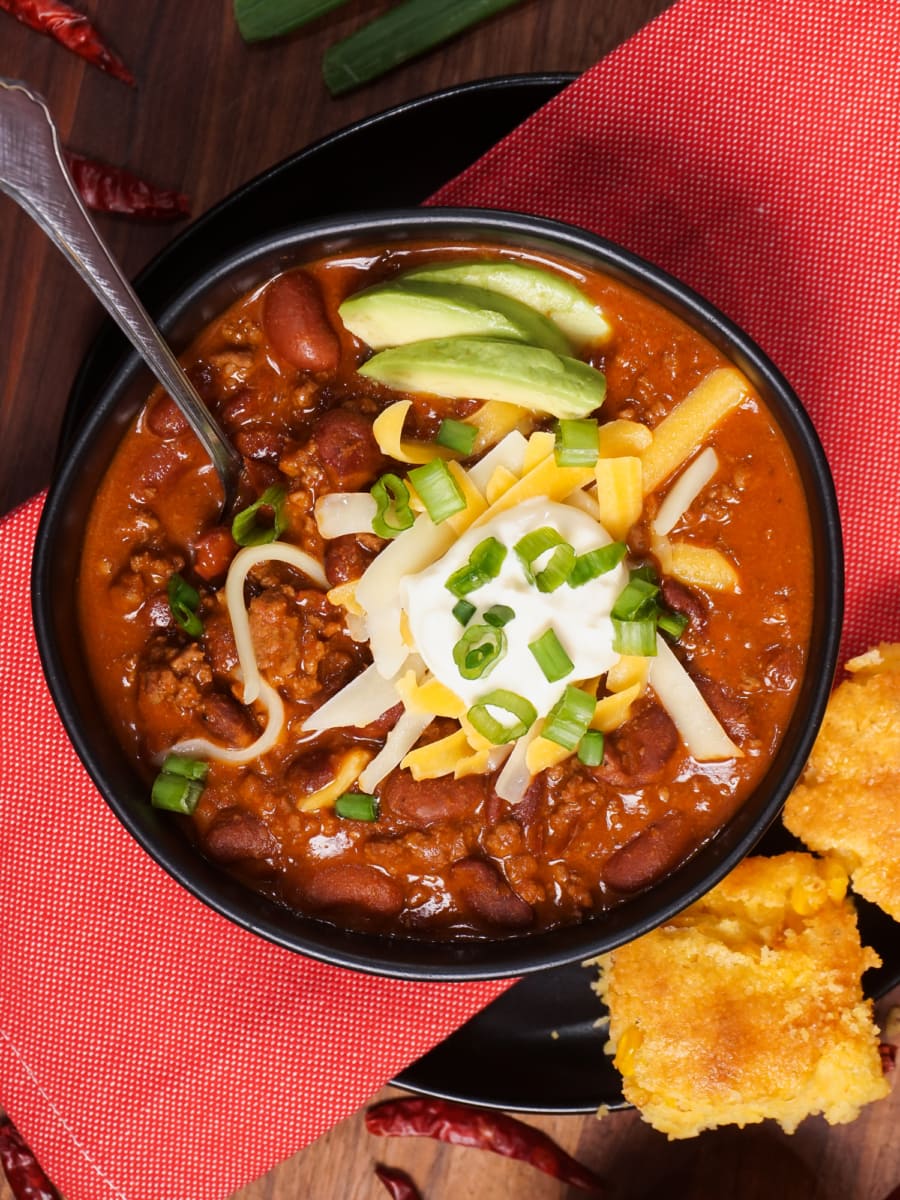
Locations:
(538, 1048)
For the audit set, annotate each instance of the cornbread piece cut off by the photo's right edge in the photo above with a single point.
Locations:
(848, 803)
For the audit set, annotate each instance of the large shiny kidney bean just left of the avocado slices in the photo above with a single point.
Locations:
(297, 326)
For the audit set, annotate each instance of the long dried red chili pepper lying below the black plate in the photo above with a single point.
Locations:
(464, 1126)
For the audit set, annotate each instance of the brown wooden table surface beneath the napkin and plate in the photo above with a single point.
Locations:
(209, 115)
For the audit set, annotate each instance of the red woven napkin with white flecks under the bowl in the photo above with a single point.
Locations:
(151, 1049)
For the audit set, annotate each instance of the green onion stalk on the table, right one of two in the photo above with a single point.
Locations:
(403, 33)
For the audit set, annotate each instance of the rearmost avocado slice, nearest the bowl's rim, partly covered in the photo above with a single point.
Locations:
(551, 295)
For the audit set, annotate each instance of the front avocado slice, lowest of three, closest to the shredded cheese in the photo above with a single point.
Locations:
(490, 369)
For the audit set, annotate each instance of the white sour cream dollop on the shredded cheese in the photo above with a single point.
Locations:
(580, 617)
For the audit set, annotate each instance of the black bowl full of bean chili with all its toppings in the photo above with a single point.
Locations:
(457, 859)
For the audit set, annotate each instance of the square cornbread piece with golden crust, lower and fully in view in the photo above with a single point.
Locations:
(748, 1005)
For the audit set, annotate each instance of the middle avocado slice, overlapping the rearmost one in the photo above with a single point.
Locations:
(401, 311)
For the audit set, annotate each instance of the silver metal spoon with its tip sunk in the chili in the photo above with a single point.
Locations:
(33, 173)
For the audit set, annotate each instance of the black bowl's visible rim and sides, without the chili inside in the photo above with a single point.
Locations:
(57, 565)
